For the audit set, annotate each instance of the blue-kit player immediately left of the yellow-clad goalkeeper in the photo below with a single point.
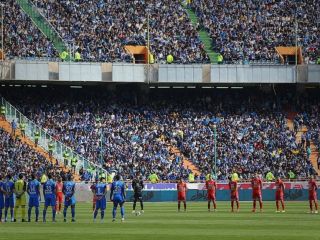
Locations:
(8, 189)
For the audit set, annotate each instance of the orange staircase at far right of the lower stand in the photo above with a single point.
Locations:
(303, 129)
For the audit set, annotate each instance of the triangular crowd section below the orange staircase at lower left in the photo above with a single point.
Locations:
(17, 157)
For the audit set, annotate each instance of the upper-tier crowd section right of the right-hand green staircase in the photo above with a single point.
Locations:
(249, 30)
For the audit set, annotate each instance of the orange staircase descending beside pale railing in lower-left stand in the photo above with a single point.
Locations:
(6, 126)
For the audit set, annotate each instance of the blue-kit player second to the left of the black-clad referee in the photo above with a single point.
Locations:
(101, 203)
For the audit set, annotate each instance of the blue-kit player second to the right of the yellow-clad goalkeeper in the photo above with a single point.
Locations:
(49, 193)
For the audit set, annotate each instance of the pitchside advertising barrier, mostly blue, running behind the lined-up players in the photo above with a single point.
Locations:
(166, 192)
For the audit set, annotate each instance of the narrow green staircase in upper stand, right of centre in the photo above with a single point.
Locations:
(204, 36)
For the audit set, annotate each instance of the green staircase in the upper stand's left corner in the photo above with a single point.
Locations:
(43, 24)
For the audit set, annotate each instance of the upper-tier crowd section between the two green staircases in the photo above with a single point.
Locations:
(101, 28)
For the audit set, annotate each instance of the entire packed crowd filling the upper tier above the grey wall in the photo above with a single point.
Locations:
(242, 31)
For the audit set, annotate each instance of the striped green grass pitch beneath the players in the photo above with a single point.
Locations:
(162, 221)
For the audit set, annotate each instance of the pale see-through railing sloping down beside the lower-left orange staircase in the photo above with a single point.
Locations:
(59, 148)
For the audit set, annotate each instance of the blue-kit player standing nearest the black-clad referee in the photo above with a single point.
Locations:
(118, 197)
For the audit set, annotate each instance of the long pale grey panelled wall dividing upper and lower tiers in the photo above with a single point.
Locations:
(162, 74)
